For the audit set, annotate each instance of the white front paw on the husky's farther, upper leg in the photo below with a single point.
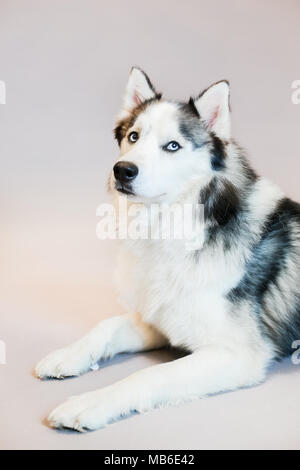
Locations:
(68, 362)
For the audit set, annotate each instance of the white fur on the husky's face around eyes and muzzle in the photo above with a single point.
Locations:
(162, 175)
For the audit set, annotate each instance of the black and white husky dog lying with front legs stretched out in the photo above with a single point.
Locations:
(233, 304)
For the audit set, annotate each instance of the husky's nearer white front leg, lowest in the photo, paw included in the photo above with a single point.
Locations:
(211, 370)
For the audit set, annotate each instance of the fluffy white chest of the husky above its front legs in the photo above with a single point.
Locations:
(183, 296)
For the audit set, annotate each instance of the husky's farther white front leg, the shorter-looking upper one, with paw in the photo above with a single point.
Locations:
(125, 333)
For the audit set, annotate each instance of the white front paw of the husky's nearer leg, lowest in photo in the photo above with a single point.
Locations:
(86, 412)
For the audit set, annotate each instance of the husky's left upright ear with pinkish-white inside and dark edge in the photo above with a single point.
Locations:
(139, 89)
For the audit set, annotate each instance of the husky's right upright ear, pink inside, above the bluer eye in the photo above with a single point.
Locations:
(214, 109)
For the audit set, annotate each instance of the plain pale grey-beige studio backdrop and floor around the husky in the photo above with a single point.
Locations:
(65, 64)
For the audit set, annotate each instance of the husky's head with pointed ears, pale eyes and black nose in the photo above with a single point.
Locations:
(165, 146)
